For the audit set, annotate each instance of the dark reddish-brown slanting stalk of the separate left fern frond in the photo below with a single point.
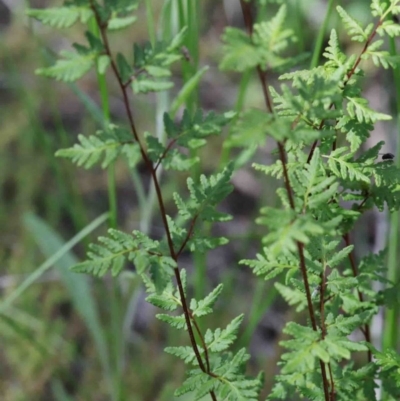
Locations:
(160, 199)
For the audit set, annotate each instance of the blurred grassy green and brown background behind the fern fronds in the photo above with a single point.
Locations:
(71, 337)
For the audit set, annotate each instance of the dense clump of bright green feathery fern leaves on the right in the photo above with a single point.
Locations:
(323, 107)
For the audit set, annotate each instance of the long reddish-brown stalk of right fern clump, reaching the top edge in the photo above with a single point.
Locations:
(300, 246)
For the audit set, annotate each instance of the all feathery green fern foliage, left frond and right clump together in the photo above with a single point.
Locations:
(320, 122)
